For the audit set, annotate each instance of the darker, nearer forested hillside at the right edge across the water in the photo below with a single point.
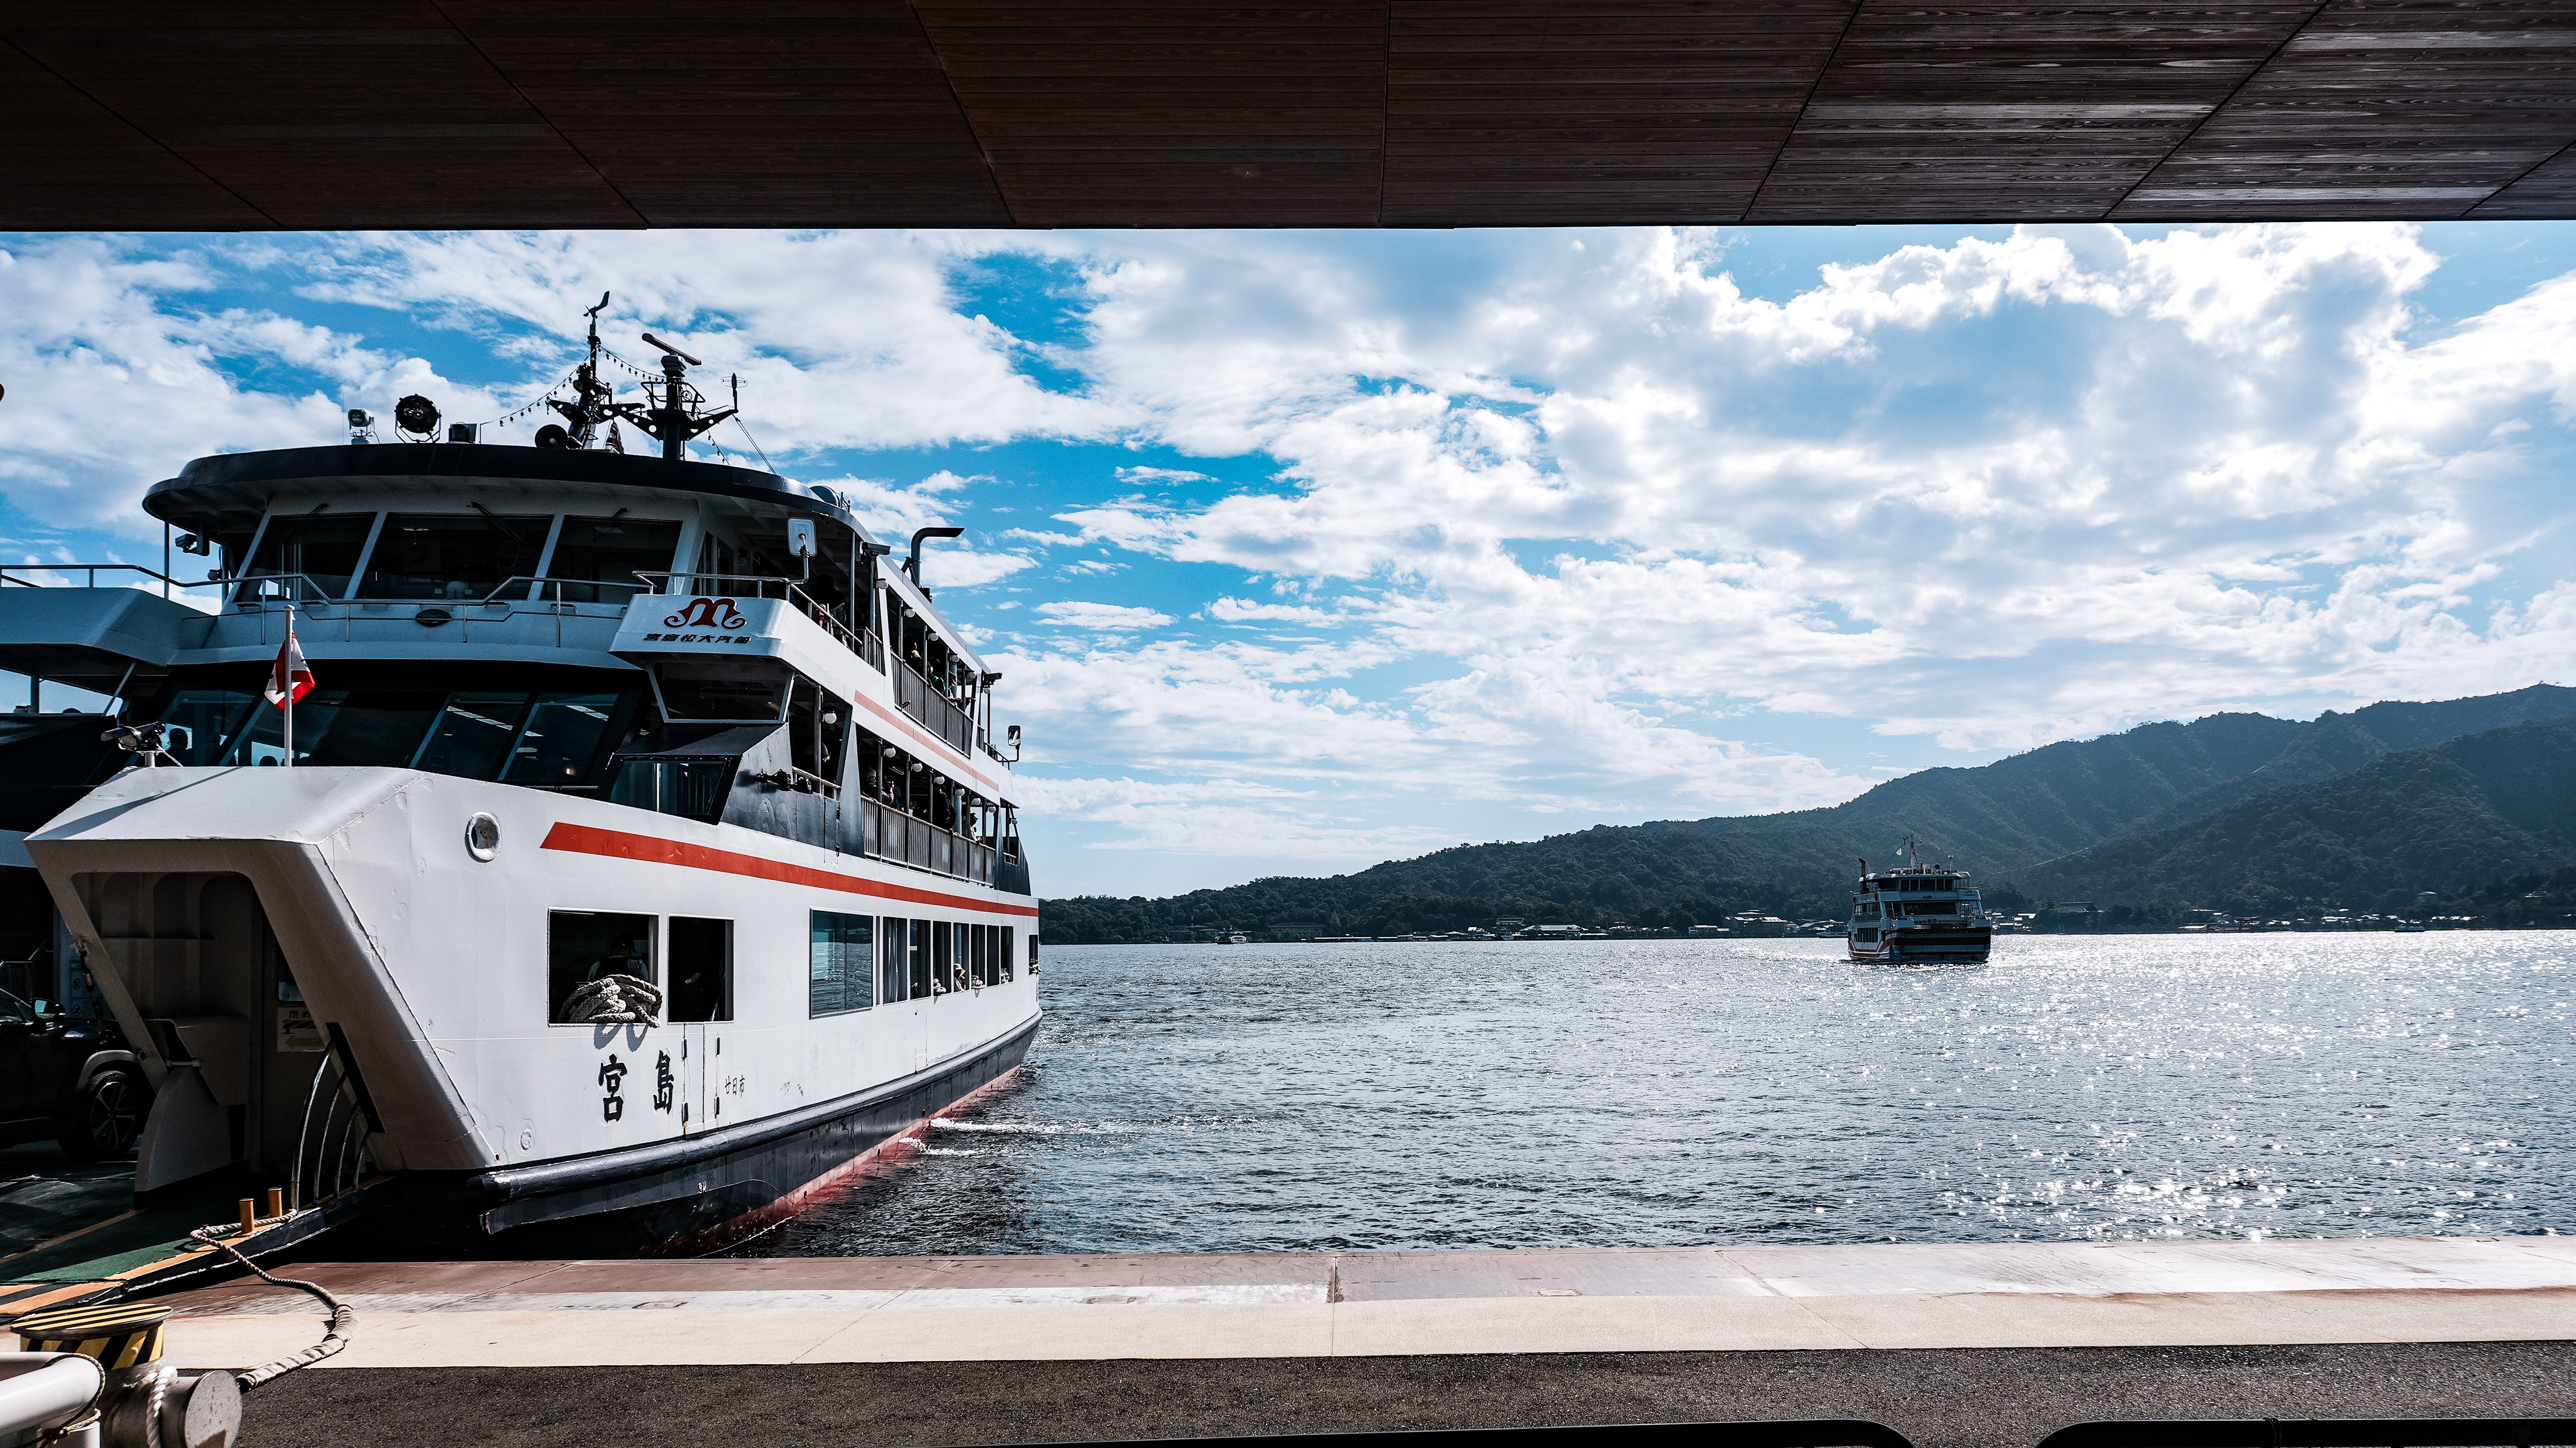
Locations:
(2371, 839)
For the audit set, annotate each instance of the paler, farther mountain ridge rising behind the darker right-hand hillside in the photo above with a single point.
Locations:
(2049, 808)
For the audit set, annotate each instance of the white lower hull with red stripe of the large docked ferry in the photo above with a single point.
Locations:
(231, 911)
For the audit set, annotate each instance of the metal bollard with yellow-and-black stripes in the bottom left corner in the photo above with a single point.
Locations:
(146, 1403)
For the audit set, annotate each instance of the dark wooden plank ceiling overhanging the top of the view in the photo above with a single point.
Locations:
(1325, 115)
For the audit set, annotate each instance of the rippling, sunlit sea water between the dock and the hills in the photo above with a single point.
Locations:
(1756, 1091)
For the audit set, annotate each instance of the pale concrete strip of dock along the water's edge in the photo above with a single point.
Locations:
(1392, 1305)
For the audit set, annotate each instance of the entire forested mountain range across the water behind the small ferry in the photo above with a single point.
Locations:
(2075, 815)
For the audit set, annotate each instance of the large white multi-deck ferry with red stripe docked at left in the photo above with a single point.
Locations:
(638, 862)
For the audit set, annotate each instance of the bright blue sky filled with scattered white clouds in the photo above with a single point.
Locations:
(1305, 550)
